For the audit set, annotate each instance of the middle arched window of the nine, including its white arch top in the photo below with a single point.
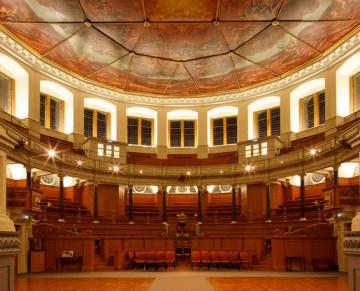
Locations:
(182, 128)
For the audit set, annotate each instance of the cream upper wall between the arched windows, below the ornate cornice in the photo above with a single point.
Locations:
(333, 107)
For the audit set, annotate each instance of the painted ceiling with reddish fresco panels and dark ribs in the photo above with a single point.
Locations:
(180, 47)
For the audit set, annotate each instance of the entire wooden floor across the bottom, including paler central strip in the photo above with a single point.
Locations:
(184, 281)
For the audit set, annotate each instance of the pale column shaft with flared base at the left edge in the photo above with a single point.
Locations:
(6, 224)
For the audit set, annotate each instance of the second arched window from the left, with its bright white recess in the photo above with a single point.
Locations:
(56, 107)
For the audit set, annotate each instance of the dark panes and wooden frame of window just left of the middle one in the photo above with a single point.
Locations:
(140, 131)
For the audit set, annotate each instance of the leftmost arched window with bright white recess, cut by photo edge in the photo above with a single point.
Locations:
(14, 88)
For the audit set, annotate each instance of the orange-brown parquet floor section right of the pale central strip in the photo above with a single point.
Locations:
(279, 284)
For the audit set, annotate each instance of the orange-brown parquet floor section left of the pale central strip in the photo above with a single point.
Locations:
(86, 284)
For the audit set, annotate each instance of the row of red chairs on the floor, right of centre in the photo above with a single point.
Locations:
(221, 258)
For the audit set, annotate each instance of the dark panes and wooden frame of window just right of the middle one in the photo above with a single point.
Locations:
(224, 130)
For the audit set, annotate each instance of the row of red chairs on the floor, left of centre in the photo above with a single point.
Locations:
(151, 258)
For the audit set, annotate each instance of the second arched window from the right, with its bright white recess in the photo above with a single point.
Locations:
(307, 105)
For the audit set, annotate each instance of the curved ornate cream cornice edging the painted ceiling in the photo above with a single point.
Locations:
(24, 54)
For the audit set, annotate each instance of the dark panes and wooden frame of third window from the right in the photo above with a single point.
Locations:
(267, 122)
